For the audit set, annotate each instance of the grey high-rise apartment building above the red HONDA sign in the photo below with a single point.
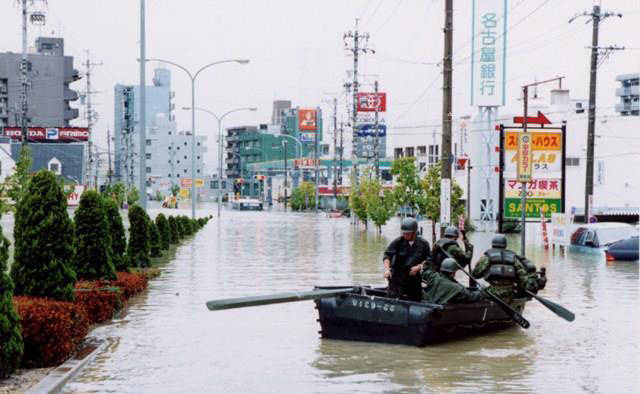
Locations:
(49, 73)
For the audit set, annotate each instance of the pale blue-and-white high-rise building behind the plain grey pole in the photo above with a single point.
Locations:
(167, 152)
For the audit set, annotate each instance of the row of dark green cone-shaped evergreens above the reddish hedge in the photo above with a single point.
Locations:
(52, 251)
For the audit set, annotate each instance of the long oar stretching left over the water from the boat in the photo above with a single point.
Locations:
(230, 303)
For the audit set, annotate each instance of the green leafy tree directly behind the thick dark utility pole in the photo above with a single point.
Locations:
(430, 204)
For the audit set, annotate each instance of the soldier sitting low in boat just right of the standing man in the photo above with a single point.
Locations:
(441, 287)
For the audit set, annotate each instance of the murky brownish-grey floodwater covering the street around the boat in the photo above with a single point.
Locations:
(169, 342)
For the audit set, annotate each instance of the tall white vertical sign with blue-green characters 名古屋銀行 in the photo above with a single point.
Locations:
(488, 52)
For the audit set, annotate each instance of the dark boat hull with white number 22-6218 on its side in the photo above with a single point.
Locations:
(372, 317)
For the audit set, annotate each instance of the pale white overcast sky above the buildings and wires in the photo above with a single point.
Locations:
(297, 52)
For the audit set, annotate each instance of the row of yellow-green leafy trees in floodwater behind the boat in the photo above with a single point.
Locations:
(368, 200)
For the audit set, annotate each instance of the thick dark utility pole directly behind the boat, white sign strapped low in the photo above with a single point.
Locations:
(447, 113)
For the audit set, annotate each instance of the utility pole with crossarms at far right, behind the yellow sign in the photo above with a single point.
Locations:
(596, 17)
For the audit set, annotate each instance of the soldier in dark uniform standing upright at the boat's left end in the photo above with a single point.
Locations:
(403, 261)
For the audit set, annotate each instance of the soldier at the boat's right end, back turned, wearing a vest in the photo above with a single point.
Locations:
(503, 269)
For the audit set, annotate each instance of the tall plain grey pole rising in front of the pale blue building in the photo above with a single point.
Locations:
(143, 114)
